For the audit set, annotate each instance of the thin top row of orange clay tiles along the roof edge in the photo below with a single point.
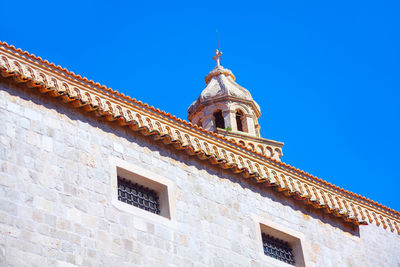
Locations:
(189, 124)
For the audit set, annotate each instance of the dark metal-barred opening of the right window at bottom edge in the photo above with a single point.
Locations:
(277, 249)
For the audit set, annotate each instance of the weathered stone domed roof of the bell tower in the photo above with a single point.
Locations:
(221, 85)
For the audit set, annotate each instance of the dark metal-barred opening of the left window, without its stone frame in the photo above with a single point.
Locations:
(138, 195)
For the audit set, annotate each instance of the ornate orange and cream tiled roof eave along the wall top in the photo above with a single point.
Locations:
(47, 78)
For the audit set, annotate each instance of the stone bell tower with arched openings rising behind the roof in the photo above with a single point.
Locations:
(227, 108)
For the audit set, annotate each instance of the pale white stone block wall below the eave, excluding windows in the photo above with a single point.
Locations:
(55, 201)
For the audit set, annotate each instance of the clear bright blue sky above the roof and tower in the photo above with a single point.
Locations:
(325, 73)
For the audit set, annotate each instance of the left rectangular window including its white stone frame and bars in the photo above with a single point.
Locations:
(142, 192)
